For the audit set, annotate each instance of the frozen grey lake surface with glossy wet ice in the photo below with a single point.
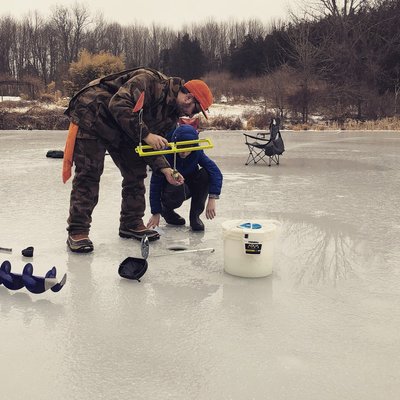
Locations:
(323, 326)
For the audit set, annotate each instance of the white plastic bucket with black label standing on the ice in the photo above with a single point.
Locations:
(249, 247)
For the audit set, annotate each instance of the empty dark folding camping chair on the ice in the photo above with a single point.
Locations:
(265, 149)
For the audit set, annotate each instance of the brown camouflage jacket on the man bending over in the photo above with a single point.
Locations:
(104, 108)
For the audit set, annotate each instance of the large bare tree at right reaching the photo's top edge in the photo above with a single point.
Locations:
(351, 37)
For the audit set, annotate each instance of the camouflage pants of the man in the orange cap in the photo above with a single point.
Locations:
(89, 156)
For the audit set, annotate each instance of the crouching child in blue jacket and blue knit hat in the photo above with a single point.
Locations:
(203, 179)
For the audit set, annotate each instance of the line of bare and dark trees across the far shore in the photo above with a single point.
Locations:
(340, 58)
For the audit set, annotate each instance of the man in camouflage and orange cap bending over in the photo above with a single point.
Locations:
(115, 114)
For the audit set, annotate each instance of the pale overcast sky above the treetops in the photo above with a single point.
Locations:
(172, 13)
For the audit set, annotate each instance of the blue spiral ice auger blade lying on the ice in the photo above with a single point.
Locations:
(34, 284)
